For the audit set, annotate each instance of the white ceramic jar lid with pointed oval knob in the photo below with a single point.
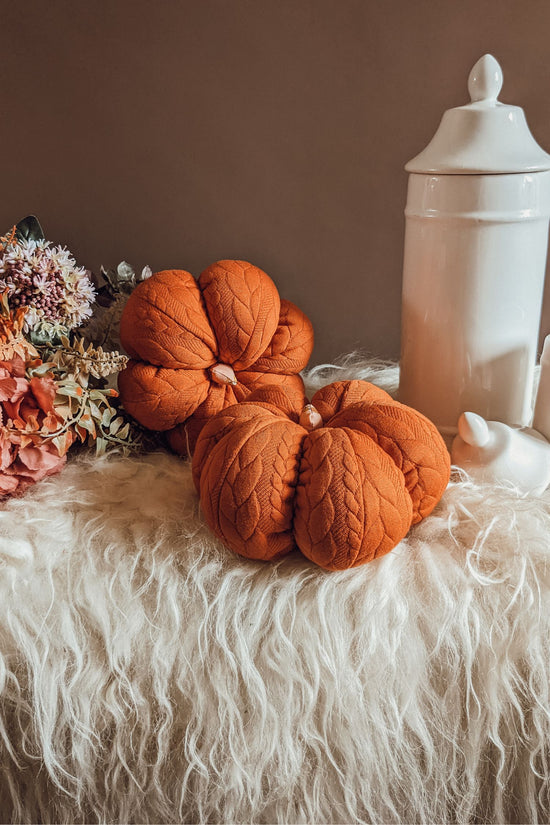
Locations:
(484, 136)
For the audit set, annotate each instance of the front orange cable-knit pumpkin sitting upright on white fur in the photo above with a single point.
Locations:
(343, 481)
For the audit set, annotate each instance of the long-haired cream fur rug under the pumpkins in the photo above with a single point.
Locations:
(148, 675)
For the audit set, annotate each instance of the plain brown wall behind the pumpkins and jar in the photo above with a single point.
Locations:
(179, 132)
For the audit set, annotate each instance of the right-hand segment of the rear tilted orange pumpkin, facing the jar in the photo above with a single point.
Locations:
(292, 344)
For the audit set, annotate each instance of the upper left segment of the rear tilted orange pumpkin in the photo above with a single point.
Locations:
(164, 323)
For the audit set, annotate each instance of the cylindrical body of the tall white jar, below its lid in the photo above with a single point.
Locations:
(475, 253)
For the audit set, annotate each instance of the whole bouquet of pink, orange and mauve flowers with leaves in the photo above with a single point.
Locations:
(57, 374)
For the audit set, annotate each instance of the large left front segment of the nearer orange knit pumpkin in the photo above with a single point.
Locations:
(247, 486)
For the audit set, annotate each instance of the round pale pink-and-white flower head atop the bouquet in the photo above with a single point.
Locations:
(46, 280)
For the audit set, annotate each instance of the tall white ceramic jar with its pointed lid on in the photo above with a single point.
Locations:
(477, 214)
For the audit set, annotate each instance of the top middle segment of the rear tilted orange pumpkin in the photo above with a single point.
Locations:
(243, 307)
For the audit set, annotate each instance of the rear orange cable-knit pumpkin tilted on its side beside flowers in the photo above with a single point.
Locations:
(199, 346)
